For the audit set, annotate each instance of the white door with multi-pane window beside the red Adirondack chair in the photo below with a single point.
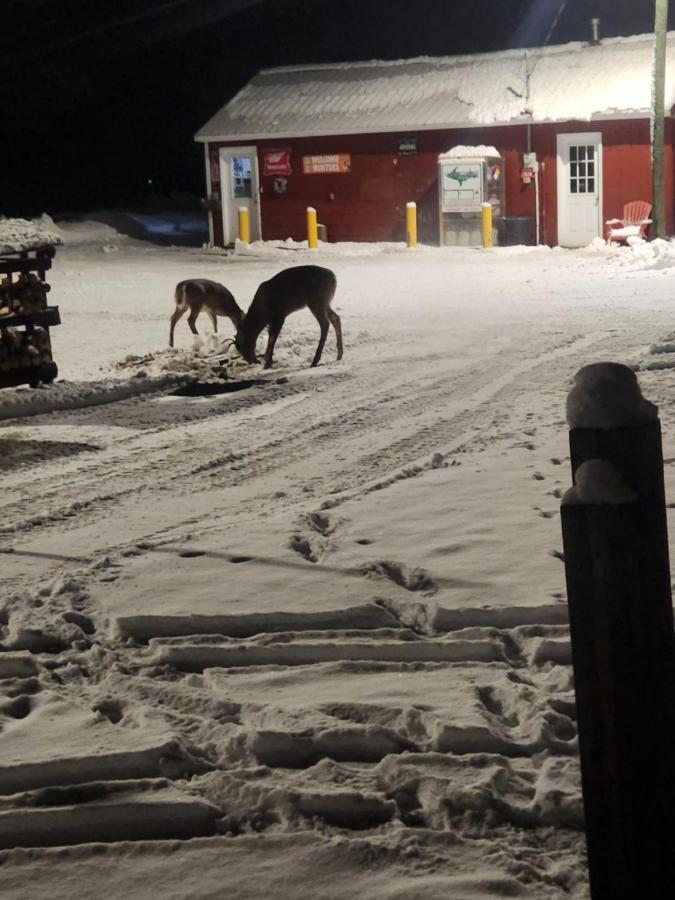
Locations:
(579, 188)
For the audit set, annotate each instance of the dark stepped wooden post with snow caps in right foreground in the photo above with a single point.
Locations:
(621, 625)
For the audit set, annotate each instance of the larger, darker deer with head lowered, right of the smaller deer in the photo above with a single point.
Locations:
(290, 290)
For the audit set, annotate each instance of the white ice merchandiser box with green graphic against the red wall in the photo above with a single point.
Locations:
(467, 178)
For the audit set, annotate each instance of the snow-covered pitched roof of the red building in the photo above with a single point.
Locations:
(578, 81)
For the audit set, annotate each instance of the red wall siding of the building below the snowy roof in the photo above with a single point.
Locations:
(368, 203)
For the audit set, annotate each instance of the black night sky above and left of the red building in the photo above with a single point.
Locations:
(98, 97)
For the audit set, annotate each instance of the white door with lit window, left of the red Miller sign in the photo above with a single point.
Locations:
(239, 187)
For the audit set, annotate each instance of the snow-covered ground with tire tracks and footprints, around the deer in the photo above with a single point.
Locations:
(318, 624)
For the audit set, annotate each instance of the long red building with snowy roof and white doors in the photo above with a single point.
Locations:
(358, 141)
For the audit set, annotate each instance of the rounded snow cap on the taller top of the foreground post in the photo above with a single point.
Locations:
(607, 395)
